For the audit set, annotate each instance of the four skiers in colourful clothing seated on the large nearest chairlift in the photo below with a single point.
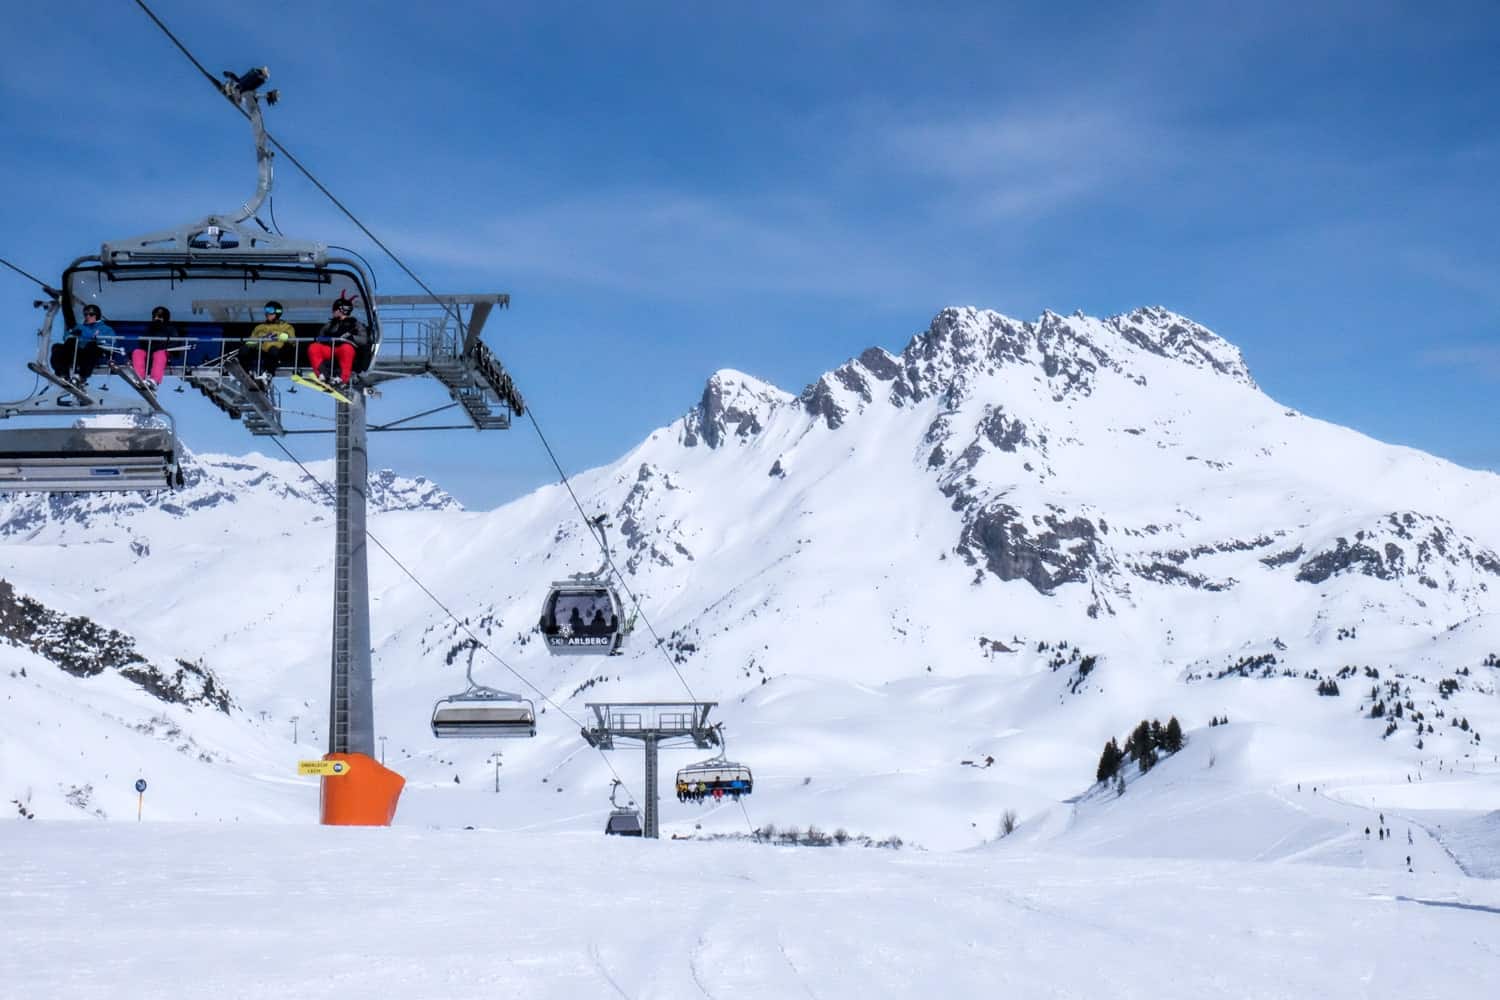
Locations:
(344, 341)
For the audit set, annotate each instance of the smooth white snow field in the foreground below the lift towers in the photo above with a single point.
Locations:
(196, 911)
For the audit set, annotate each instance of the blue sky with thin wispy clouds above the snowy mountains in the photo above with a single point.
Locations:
(668, 190)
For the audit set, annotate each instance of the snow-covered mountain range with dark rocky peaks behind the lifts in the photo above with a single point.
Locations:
(925, 591)
